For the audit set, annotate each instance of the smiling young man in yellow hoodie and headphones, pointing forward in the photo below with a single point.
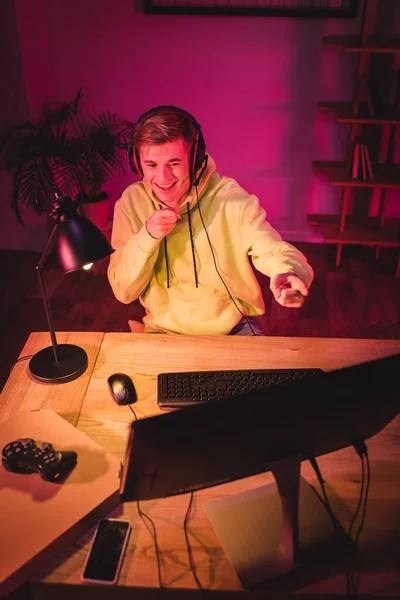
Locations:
(183, 236)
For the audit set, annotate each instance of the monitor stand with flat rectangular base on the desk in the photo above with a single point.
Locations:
(273, 529)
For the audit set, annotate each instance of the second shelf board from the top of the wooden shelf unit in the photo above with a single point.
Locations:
(344, 113)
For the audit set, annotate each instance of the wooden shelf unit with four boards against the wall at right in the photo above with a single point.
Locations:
(343, 229)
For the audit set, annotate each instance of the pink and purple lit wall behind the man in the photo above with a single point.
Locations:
(252, 82)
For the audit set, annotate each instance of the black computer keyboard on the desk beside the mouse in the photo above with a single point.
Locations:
(178, 390)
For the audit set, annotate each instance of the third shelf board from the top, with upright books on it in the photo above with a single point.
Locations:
(385, 176)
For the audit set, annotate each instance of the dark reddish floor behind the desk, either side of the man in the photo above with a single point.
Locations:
(358, 299)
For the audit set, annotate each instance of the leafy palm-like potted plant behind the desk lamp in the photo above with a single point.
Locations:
(62, 148)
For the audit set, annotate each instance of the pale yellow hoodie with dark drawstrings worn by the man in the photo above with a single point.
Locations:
(183, 280)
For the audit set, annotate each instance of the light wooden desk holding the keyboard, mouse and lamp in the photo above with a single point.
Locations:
(142, 357)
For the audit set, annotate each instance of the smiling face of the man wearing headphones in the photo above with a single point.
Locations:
(166, 168)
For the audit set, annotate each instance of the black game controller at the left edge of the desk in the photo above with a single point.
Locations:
(27, 456)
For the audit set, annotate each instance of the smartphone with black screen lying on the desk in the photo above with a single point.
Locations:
(104, 560)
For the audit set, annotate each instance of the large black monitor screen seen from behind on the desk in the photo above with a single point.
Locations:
(239, 436)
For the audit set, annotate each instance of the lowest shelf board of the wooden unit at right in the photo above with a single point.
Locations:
(366, 233)
